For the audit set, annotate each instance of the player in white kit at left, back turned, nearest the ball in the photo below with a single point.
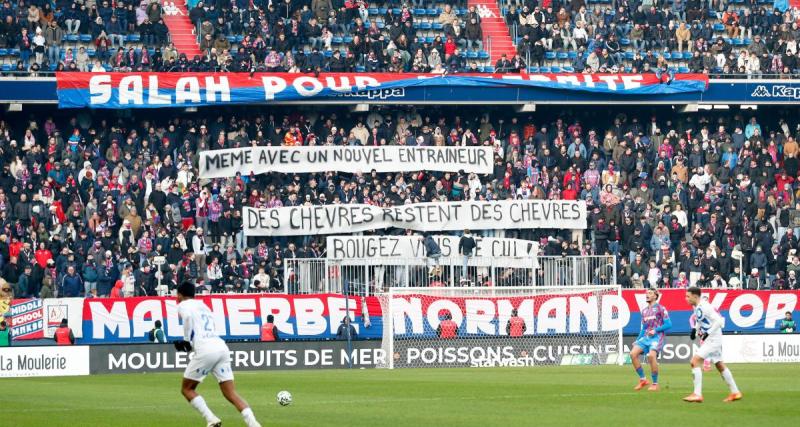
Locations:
(211, 356)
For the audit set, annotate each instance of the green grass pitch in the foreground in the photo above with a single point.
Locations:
(572, 396)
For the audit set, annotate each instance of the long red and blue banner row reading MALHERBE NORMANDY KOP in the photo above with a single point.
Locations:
(317, 317)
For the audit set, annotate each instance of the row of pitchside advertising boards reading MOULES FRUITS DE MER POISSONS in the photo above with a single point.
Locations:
(52, 361)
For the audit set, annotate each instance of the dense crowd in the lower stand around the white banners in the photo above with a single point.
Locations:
(88, 203)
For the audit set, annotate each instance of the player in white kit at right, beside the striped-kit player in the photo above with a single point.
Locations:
(708, 326)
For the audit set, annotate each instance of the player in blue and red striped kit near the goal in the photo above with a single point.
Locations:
(652, 336)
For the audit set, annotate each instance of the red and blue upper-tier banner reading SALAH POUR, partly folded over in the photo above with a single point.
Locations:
(159, 90)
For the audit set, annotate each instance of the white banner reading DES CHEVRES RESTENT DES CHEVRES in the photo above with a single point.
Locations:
(440, 216)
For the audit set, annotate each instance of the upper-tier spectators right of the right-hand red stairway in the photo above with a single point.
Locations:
(720, 38)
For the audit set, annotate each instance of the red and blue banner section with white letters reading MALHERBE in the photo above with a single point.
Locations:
(236, 317)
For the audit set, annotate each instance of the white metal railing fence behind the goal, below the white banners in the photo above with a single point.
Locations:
(369, 276)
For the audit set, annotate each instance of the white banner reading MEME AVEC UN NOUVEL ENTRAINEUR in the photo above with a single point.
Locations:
(349, 159)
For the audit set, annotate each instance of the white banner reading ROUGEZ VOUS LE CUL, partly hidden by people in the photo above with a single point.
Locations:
(399, 250)
